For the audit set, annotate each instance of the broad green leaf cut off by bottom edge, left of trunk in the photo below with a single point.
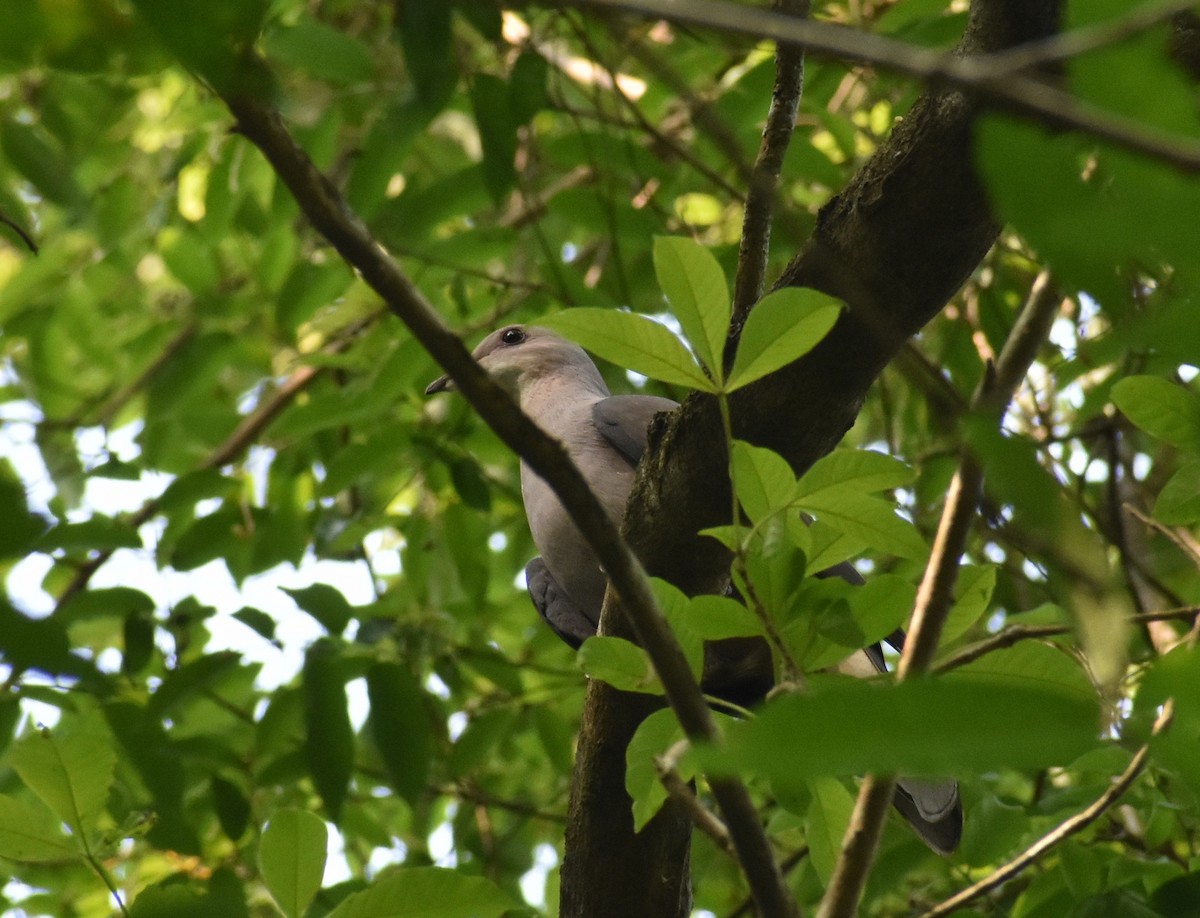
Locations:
(427, 893)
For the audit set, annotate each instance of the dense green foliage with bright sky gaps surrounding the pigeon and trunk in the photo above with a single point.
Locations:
(262, 593)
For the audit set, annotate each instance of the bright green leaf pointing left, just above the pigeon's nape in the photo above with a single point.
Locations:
(633, 343)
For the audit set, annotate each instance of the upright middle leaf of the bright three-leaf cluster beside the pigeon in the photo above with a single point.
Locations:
(699, 295)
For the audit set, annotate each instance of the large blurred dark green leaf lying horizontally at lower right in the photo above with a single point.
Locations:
(949, 727)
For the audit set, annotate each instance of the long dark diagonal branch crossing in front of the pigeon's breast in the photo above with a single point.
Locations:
(325, 207)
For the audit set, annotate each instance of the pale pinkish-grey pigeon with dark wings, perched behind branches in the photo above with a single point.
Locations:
(560, 388)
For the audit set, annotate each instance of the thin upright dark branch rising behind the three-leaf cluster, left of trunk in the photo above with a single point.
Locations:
(785, 101)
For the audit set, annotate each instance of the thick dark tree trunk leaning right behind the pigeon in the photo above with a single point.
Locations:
(896, 245)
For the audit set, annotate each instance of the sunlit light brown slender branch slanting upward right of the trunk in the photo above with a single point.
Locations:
(935, 596)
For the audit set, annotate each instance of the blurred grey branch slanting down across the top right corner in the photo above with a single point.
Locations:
(981, 76)
